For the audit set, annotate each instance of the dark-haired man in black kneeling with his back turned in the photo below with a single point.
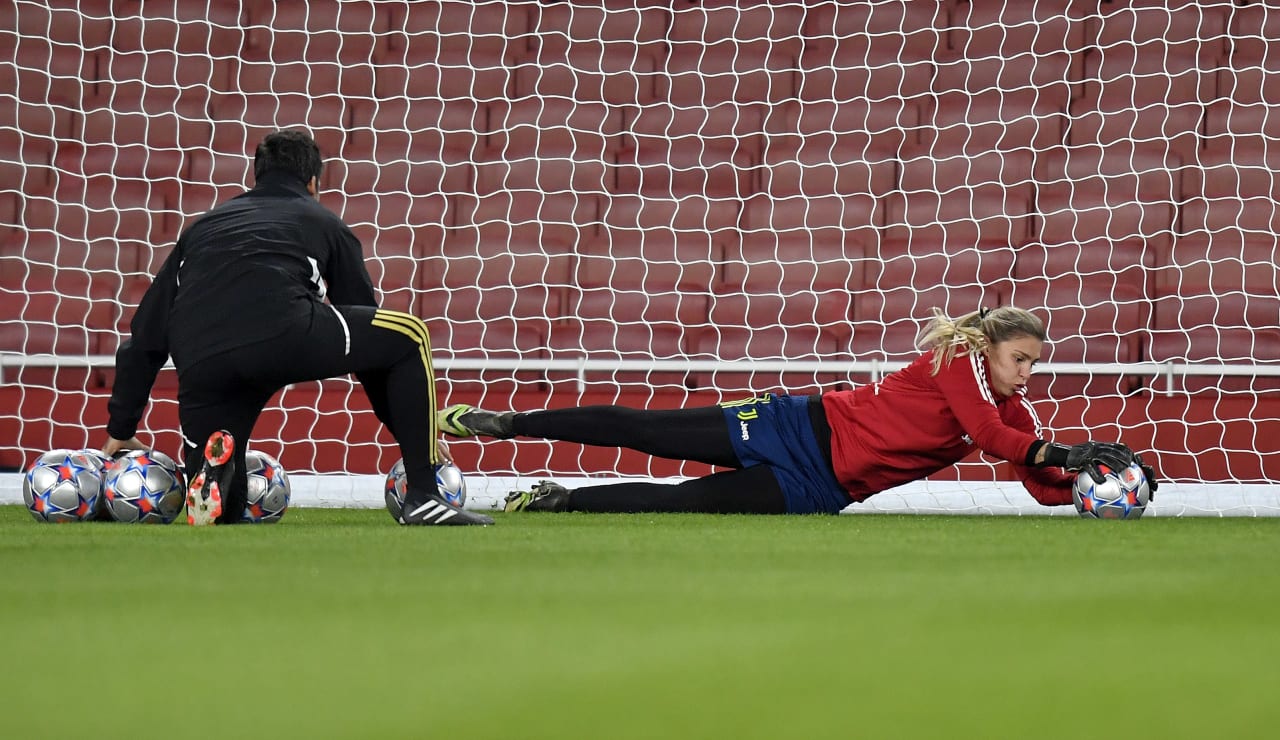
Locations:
(267, 290)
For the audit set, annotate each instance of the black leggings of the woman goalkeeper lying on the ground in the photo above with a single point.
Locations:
(697, 435)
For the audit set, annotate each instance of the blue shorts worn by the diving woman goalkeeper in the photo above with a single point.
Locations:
(776, 431)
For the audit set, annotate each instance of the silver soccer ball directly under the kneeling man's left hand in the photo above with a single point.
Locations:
(144, 486)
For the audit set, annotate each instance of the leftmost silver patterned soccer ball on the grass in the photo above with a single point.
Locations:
(65, 486)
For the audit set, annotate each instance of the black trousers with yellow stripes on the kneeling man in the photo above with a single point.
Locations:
(388, 351)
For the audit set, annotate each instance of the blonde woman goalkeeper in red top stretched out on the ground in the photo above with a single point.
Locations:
(820, 454)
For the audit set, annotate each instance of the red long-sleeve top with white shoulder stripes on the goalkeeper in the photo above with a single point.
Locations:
(915, 423)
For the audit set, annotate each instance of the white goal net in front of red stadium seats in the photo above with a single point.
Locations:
(674, 204)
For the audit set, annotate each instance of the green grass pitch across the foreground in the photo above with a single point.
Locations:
(339, 624)
